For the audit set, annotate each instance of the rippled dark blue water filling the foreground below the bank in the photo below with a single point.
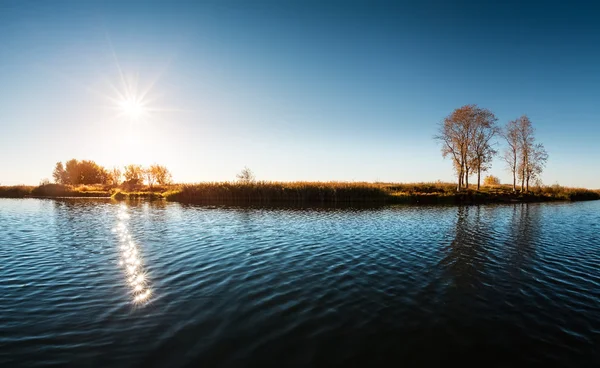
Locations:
(97, 283)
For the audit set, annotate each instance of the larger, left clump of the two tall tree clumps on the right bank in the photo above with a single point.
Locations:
(465, 136)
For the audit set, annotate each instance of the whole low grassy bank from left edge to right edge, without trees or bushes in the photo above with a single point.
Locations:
(299, 193)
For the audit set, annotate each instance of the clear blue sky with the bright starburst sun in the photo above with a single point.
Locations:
(306, 90)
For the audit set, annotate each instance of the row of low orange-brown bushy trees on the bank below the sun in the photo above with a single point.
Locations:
(75, 172)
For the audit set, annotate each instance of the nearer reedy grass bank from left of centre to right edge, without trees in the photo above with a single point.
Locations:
(359, 193)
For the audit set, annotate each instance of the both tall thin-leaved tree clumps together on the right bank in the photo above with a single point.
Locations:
(468, 135)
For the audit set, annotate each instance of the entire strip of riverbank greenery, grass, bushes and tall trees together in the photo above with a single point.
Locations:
(467, 136)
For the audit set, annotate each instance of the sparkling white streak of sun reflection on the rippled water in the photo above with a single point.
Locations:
(130, 259)
